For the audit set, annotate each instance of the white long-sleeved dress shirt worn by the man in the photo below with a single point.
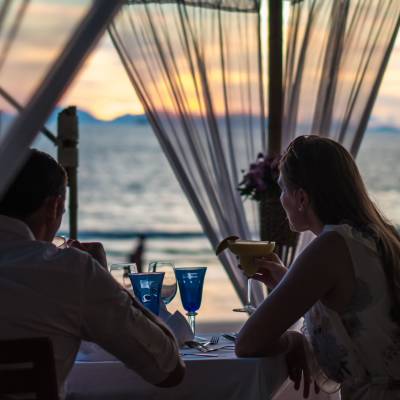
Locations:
(66, 295)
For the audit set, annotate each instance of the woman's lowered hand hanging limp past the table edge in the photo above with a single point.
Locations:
(298, 363)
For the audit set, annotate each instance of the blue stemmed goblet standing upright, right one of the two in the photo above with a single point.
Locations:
(190, 282)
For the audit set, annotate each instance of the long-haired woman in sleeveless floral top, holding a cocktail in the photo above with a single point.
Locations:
(346, 282)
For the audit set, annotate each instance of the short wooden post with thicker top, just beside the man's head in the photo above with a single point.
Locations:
(68, 137)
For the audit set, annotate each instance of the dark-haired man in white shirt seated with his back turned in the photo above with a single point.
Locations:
(67, 294)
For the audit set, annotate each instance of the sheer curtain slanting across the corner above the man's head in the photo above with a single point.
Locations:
(42, 46)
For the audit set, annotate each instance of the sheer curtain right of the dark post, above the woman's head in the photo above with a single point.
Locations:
(336, 54)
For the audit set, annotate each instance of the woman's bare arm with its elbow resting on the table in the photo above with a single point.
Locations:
(315, 273)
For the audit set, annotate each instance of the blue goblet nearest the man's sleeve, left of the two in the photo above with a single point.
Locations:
(147, 288)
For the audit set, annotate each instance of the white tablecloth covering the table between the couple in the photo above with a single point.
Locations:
(97, 375)
